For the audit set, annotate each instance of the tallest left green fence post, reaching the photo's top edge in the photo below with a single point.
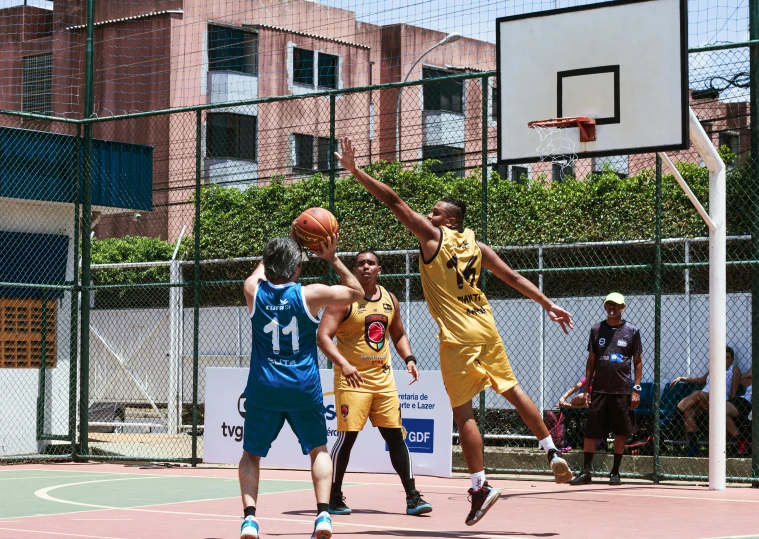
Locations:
(89, 83)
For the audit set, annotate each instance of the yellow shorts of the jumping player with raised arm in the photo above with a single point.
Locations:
(469, 369)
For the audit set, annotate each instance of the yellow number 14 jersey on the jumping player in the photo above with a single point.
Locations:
(449, 282)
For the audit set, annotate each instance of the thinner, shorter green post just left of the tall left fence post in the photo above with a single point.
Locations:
(75, 290)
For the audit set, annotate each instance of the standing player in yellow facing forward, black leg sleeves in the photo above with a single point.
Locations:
(364, 382)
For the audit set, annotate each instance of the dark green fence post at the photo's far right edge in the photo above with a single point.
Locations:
(754, 152)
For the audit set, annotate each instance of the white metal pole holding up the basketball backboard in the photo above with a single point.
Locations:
(717, 302)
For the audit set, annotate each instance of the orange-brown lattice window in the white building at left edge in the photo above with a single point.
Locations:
(21, 322)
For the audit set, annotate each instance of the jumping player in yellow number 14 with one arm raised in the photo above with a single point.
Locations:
(472, 356)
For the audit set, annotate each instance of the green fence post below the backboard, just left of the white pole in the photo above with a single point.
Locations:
(657, 324)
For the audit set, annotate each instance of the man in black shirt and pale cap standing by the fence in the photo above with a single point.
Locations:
(613, 344)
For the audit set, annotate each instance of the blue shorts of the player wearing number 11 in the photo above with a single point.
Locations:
(262, 428)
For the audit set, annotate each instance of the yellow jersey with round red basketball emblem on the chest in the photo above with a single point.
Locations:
(363, 339)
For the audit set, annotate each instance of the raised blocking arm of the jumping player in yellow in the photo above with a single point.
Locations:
(417, 223)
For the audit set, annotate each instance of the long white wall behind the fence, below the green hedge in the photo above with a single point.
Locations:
(224, 340)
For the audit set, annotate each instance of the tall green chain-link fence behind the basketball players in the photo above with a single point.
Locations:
(106, 340)
